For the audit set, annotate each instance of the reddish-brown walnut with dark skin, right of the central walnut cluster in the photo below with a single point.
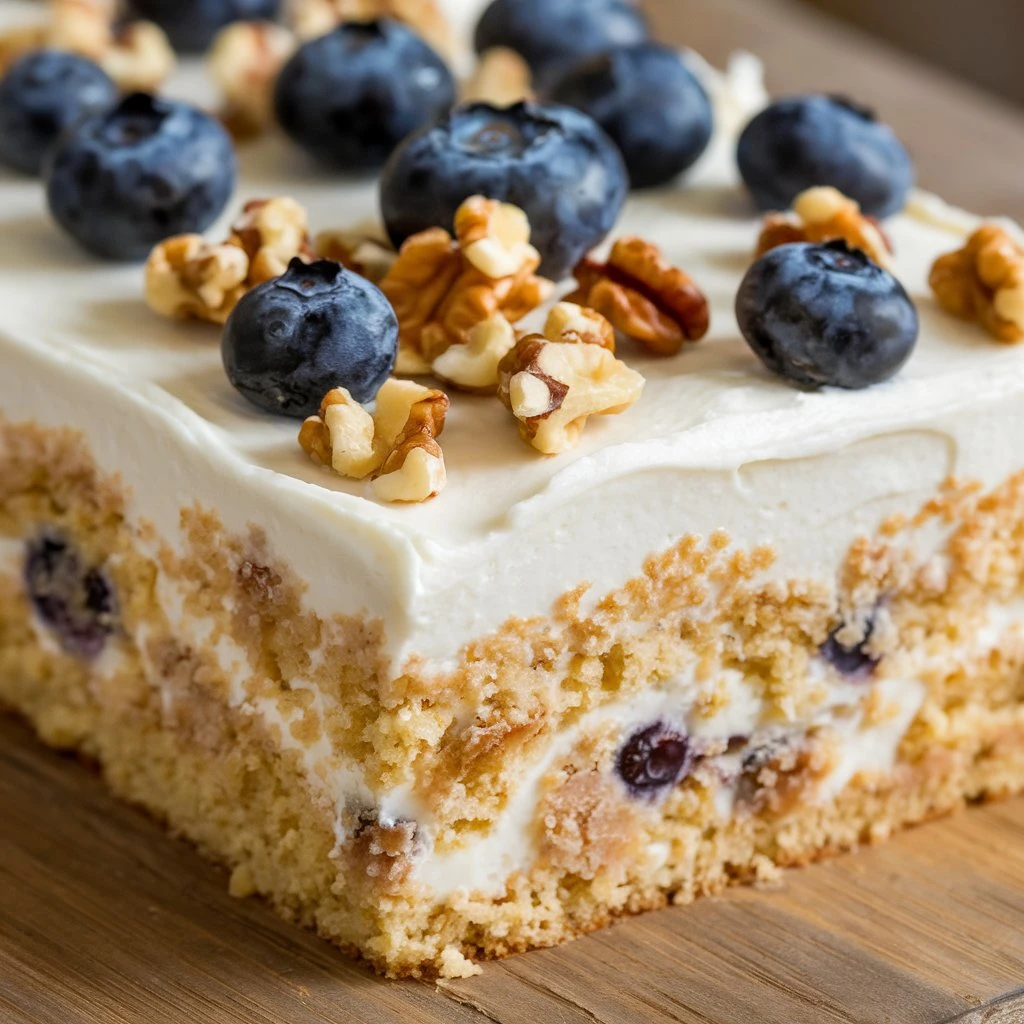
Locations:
(645, 297)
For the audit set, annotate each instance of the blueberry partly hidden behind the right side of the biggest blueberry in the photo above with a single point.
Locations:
(650, 103)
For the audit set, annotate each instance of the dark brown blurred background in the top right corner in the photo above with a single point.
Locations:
(978, 39)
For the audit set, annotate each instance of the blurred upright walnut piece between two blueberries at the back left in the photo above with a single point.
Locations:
(244, 61)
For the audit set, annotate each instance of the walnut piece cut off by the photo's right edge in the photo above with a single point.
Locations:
(985, 282)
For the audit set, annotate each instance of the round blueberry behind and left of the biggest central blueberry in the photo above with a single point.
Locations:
(353, 96)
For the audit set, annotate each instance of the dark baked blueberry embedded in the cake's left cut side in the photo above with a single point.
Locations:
(71, 599)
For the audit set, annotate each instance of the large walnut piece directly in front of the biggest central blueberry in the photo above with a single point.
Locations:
(443, 287)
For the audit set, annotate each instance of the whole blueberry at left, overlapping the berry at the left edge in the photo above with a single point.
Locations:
(121, 183)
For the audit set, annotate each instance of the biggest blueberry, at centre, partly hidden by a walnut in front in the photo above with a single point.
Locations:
(553, 162)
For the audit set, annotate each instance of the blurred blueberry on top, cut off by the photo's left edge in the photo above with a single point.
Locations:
(41, 97)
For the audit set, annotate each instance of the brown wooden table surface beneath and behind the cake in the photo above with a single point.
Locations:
(106, 921)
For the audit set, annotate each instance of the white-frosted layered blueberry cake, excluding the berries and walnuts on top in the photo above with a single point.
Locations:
(739, 627)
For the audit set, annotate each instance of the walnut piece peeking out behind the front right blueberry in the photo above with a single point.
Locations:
(825, 215)
